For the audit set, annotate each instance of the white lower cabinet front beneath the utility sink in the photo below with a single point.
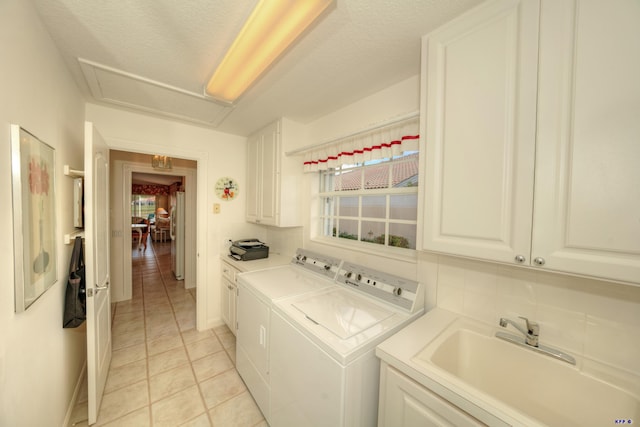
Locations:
(405, 403)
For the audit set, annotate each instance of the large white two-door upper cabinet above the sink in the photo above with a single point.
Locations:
(533, 151)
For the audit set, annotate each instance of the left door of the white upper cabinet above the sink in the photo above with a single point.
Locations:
(479, 120)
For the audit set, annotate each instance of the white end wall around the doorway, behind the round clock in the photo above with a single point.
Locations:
(218, 155)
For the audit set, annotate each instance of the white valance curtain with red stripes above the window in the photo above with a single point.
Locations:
(388, 141)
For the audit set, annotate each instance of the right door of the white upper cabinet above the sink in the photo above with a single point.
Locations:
(587, 196)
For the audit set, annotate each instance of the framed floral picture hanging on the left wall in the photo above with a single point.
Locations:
(34, 219)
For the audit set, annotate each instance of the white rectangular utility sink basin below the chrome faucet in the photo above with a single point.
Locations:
(551, 391)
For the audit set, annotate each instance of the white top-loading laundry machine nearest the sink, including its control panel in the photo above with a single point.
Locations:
(324, 371)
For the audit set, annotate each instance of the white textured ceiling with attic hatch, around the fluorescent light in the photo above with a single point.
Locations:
(157, 55)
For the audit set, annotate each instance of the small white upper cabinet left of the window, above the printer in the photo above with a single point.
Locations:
(273, 179)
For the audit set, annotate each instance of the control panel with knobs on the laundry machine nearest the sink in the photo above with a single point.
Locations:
(401, 292)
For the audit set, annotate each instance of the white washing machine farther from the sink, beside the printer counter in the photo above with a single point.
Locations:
(307, 272)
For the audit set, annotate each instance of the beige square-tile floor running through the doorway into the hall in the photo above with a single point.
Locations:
(163, 371)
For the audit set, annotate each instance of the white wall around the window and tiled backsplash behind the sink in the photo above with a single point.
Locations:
(595, 320)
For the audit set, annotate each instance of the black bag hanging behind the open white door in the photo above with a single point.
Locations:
(75, 299)
